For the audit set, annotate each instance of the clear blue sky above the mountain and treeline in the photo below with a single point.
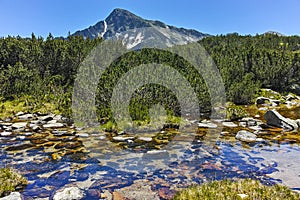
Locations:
(22, 17)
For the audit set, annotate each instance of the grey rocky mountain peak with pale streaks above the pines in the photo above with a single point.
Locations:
(136, 32)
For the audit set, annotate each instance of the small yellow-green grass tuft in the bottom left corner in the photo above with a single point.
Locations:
(10, 180)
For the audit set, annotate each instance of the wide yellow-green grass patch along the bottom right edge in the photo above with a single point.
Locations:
(243, 189)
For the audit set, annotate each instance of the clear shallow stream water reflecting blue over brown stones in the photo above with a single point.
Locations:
(51, 161)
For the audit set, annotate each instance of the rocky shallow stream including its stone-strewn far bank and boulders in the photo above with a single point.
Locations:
(62, 161)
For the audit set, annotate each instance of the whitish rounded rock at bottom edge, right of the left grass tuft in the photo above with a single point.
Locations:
(71, 193)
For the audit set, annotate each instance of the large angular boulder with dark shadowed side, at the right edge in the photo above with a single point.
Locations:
(273, 118)
